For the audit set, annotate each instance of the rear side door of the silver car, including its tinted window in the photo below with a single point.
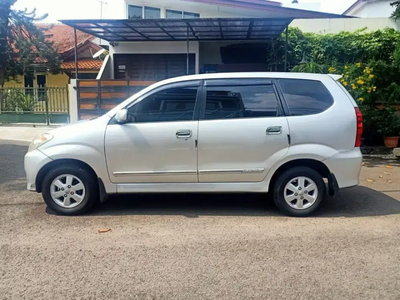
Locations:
(242, 130)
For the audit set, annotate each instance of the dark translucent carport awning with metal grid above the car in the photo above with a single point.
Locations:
(183, 29)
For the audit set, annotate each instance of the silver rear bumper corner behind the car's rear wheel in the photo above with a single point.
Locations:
(346, 166)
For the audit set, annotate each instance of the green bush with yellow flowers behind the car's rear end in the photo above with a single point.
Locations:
(369, 63)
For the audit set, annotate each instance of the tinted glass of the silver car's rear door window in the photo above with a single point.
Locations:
(246, 101)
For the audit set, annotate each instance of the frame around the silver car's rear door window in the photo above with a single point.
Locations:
(239, 82)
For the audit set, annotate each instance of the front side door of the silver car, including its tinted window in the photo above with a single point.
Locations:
(158, 143)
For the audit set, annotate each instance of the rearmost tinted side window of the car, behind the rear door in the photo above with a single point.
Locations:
(305, 97)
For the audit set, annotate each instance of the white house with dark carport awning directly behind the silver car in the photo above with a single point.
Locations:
(155, 50)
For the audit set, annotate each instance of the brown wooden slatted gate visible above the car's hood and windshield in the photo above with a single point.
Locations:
(96, 97)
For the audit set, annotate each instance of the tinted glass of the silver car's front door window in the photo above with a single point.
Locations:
(175, 104)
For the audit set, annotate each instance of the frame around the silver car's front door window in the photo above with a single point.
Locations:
(191, 83)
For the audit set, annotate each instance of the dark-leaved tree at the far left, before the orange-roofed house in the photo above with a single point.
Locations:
(23, 44)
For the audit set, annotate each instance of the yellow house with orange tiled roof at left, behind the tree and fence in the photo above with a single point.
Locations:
(63, 38)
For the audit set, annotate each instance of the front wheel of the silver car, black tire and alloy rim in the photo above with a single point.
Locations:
(73, 181)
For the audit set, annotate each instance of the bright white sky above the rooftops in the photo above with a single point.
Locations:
(90, 9)
